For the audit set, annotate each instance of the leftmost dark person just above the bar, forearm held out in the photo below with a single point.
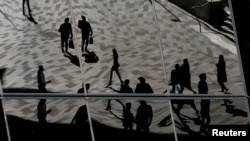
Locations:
(41, 80)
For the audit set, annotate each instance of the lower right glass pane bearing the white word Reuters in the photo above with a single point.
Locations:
(201, 119)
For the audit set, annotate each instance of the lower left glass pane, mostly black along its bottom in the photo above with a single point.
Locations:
(51, 119)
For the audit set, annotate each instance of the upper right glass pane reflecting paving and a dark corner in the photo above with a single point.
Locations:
(199, 37)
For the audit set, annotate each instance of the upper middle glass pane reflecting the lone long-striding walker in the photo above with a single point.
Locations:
(124, 41)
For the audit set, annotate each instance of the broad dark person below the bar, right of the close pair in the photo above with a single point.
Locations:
(144, 117)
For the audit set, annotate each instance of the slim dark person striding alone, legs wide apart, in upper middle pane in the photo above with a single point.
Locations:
(115, 68)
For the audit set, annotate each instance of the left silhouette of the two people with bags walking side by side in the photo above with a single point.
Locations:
(66, 33)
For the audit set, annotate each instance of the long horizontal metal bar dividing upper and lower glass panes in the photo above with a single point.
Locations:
(122, 96)
